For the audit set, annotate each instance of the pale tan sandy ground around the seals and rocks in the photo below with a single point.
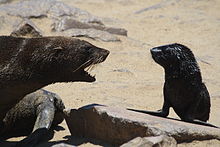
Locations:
(129, 77)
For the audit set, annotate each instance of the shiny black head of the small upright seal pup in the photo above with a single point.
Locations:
(177, 59)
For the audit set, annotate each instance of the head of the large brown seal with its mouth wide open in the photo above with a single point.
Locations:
(63, 59)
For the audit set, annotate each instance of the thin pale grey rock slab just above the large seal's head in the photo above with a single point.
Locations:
(91, 33)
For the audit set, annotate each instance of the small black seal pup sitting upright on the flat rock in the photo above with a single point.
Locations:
(183, 87)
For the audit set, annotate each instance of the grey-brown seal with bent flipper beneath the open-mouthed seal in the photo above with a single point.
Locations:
(38, 109)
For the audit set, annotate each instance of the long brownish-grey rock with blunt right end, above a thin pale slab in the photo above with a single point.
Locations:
(69, 23)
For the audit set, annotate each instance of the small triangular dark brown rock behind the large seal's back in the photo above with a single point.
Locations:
(26, 29)
